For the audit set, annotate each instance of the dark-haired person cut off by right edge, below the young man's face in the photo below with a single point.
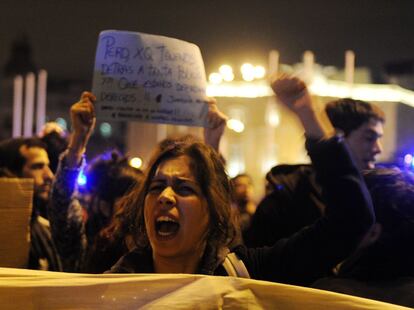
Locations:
(387, 251)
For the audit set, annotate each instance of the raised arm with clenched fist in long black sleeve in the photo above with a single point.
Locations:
(316, 249)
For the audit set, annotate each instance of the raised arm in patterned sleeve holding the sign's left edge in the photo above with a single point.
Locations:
(65, 211)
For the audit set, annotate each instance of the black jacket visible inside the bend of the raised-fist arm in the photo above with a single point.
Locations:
(294, 200)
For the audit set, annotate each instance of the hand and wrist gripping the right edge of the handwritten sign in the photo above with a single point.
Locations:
(216, 123)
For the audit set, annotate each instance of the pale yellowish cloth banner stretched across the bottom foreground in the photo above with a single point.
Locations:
(29, 289)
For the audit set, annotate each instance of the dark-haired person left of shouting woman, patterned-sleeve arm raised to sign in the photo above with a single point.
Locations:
(90, 209)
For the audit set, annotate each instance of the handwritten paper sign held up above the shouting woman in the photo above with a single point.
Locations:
(149, 78)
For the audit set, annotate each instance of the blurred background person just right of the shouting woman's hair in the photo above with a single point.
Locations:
(243, 202)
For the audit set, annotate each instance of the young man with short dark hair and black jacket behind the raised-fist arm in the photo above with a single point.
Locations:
(295, 198)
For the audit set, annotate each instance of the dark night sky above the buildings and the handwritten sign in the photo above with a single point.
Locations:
(64, 34)
